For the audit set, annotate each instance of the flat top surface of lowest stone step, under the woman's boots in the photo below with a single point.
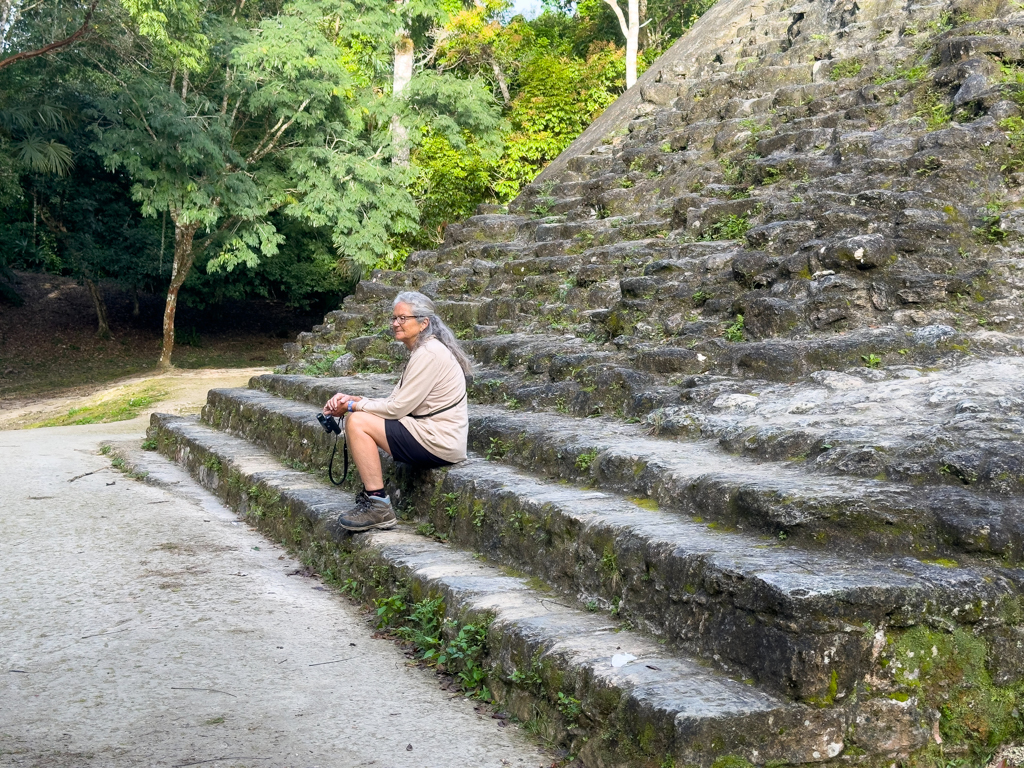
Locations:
(678, 690)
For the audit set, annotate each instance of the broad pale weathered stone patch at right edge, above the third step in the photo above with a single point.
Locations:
(894, 422)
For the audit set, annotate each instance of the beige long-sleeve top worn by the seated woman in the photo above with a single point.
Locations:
(434, 379)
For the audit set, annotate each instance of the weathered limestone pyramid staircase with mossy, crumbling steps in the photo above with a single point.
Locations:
(746, 428)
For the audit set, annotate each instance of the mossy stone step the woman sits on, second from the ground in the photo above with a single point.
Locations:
(756, 608)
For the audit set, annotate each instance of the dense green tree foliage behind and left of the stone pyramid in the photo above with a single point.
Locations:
(258, 137)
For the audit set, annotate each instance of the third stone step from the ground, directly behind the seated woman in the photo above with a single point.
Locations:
(700, 480)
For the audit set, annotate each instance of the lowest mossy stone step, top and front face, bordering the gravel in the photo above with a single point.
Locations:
(608, 694)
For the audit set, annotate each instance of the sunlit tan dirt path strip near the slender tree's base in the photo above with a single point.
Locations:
(186, 390)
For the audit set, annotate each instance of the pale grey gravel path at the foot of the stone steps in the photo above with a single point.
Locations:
(141, 627)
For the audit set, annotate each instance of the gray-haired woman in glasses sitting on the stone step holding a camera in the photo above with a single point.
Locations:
(424, 422)
